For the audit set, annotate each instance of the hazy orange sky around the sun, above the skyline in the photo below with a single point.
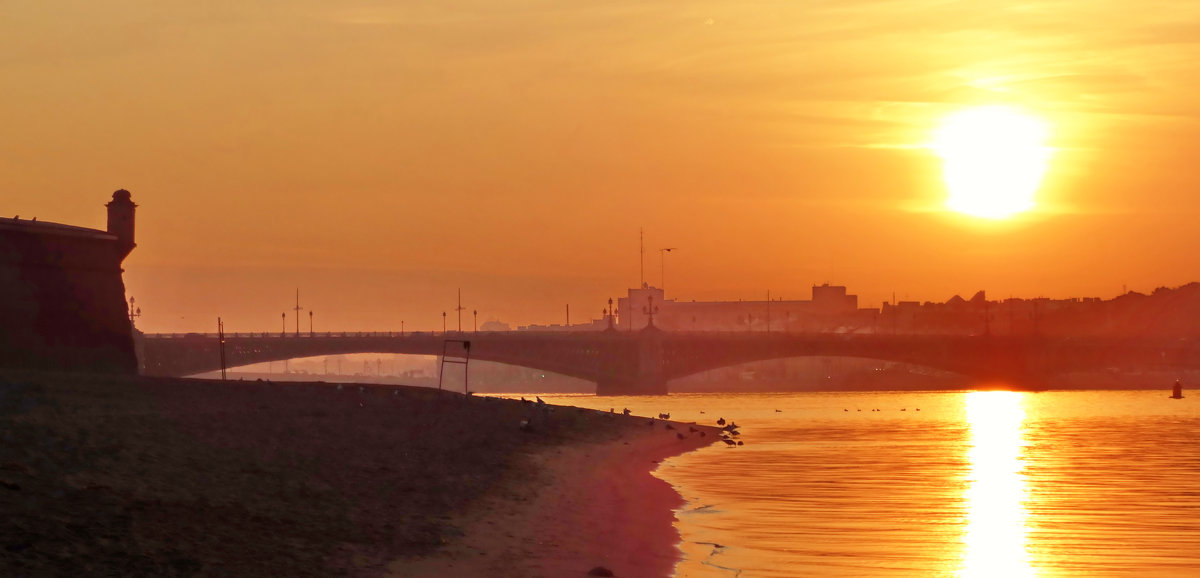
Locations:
(380, 158)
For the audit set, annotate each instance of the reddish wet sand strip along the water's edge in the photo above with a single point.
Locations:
(598, 505)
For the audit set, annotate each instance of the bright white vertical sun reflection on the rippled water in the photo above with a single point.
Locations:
(995, 538)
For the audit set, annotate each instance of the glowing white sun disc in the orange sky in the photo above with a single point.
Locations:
(993, 161)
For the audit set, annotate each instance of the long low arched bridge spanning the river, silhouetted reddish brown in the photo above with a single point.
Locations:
(644, 363)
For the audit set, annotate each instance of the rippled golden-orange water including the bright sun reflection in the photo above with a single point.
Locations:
(938, 484)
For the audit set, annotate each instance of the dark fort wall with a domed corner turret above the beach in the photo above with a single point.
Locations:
(62, 297)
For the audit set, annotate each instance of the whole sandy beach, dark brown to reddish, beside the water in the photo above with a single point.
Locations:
(117, 477)
